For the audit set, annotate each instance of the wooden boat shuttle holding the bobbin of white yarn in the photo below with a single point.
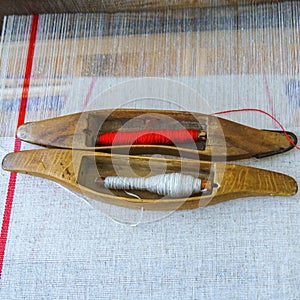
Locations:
(78, 170)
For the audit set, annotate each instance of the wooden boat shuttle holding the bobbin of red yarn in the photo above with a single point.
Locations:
(218, 139)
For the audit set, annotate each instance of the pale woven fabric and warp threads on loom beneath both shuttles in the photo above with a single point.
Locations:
(60, 247)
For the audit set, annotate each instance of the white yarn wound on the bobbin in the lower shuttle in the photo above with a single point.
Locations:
(173, 184)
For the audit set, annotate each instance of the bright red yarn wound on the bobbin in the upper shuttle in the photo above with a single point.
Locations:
(149, 137)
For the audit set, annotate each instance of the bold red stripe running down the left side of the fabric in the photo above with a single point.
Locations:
(17, 146)
